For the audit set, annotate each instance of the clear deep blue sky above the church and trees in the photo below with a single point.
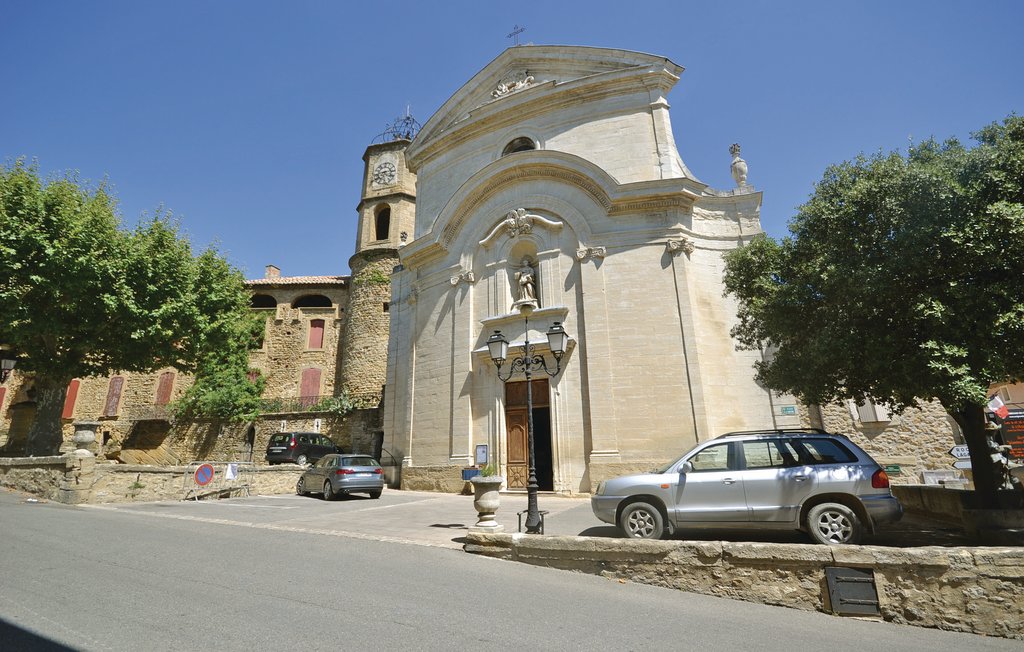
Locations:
(249, 119)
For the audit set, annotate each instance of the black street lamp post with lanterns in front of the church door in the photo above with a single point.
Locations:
(530, 363)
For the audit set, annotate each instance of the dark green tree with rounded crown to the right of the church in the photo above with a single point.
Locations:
(903, 281)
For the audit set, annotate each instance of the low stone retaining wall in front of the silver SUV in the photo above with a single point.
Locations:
(976, 590)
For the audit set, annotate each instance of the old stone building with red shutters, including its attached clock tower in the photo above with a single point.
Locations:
(324, 349)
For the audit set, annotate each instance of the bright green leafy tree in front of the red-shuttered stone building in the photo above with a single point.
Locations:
(82, 296)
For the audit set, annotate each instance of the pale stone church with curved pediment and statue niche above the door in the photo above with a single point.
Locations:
(551, 195)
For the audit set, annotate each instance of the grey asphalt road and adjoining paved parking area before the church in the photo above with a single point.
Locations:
(282, 574)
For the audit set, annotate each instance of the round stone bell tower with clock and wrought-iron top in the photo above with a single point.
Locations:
(388, 214)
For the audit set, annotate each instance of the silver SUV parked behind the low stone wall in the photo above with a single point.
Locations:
(809, 481)
